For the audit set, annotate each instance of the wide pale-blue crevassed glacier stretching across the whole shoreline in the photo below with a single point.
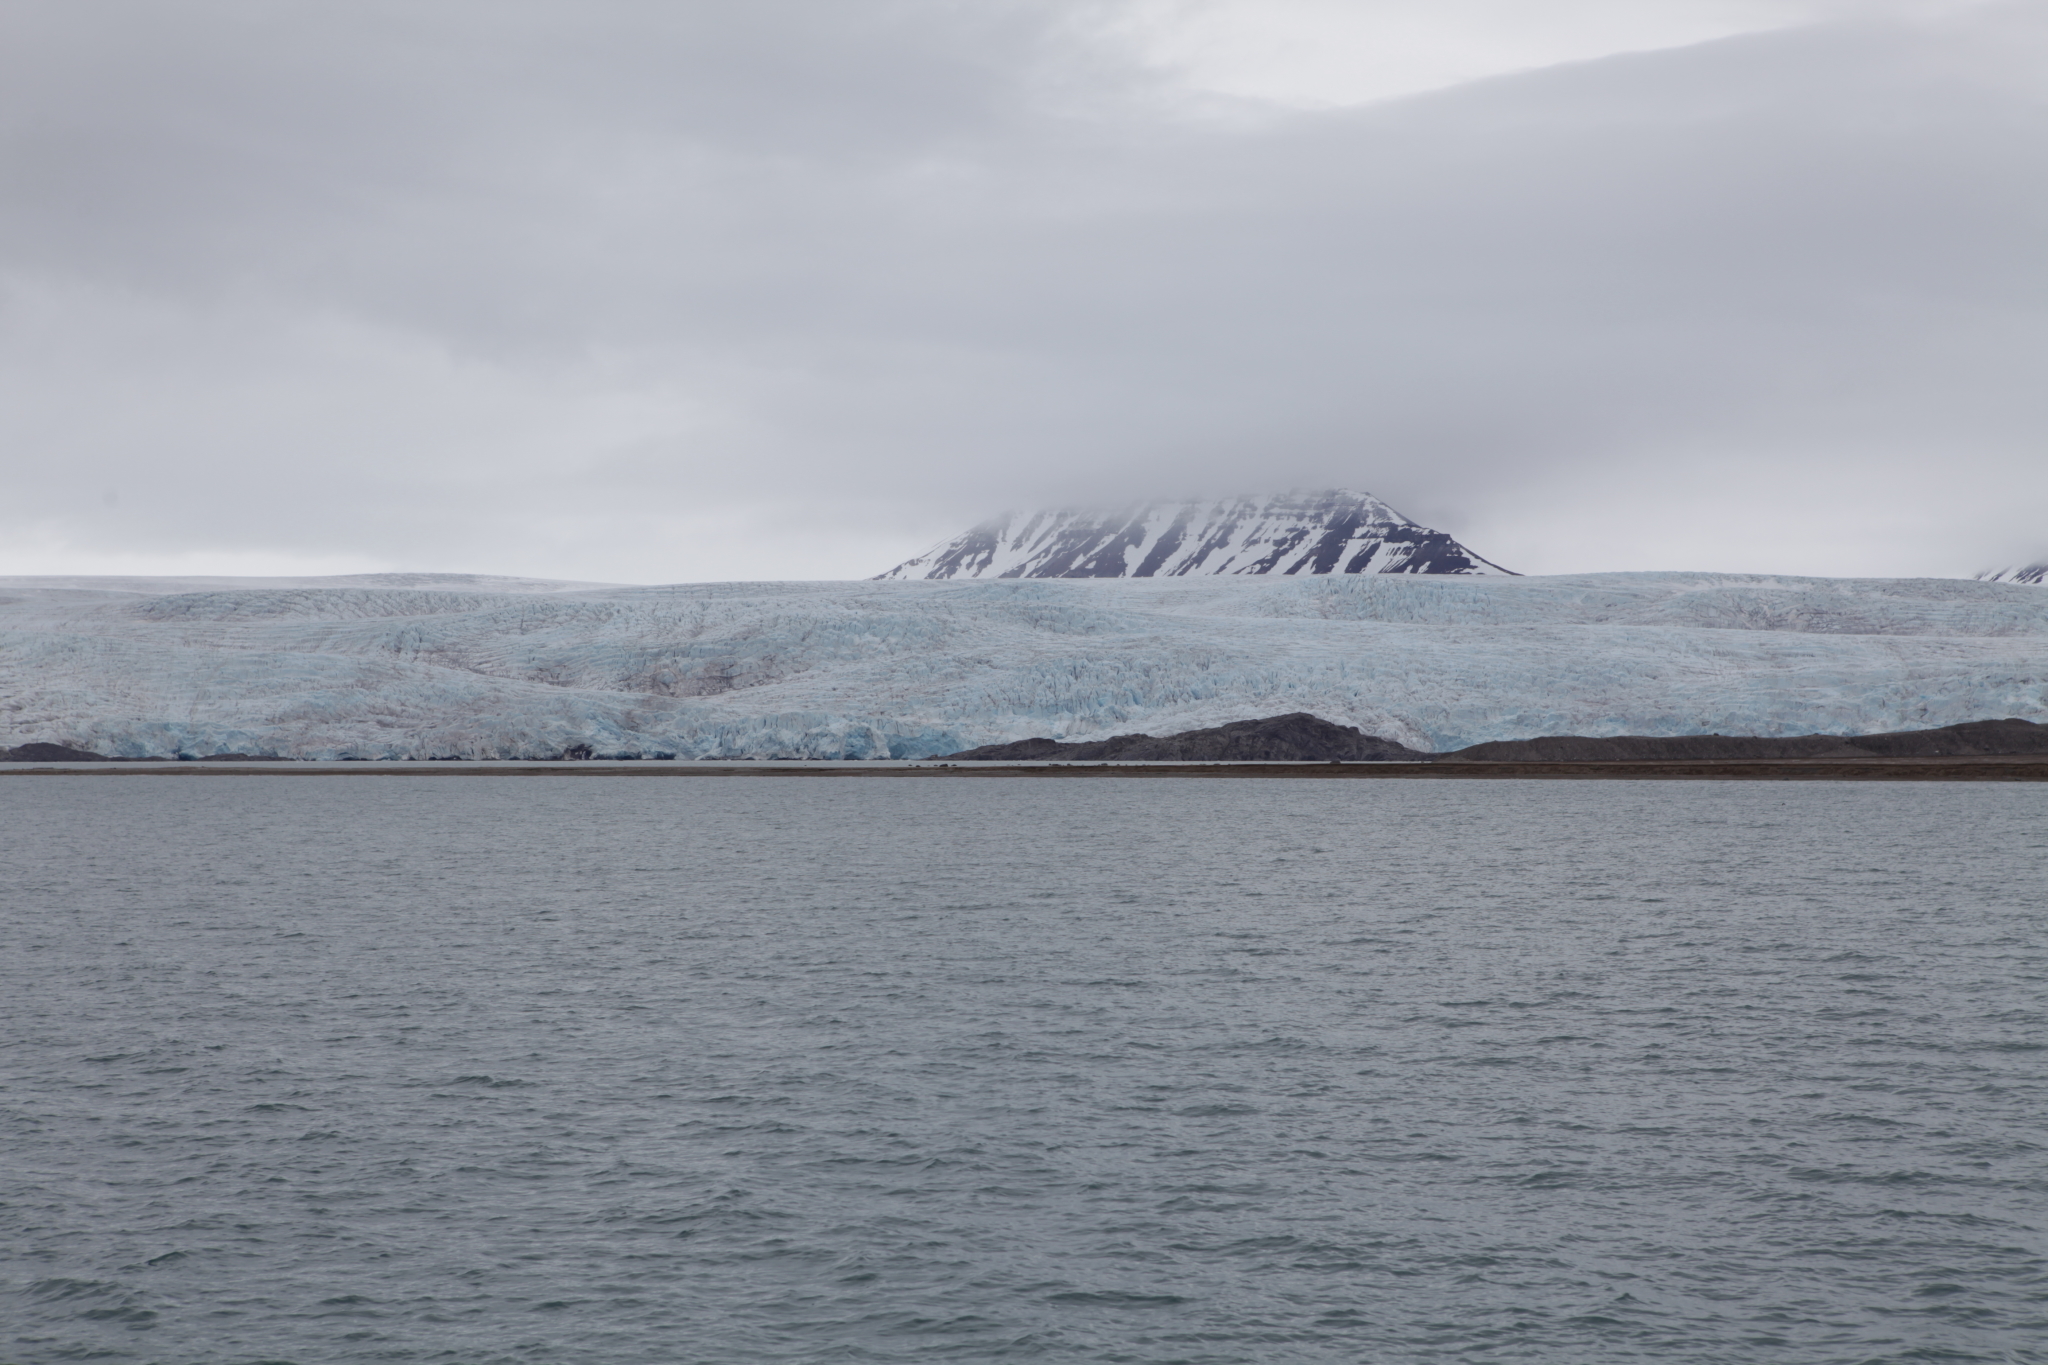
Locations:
(452, 666)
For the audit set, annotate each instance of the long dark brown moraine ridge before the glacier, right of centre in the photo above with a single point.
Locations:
(1302, 738)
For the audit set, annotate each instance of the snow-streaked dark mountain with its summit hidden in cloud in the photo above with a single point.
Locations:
(1332, 531)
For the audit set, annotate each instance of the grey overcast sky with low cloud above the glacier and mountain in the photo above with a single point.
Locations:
(687, 290)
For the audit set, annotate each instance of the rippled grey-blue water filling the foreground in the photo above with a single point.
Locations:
(822, 1069)
